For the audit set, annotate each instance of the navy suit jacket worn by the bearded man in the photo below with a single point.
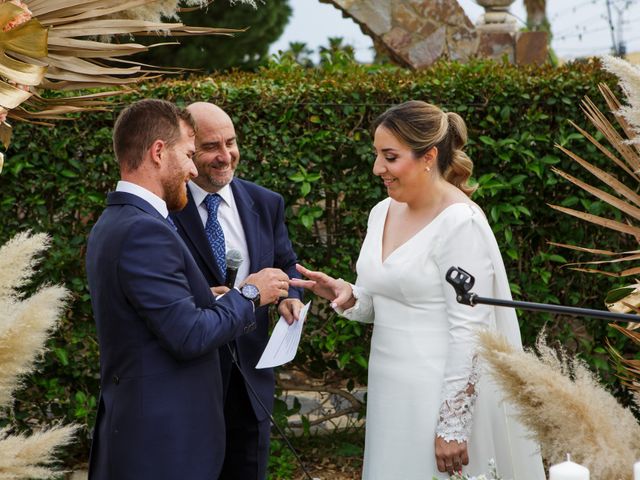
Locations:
(159, 327)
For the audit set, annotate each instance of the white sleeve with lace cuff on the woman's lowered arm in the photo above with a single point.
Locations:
(462, 246)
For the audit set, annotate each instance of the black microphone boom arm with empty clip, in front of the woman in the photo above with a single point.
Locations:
(462, 282)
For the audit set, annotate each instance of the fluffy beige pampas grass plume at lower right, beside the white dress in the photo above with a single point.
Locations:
(564, 406)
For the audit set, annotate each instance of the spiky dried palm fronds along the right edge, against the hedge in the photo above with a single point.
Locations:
(623, 138)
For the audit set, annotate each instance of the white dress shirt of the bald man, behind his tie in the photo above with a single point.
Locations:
(230, 222)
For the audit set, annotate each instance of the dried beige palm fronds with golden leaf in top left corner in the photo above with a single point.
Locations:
(79, 44)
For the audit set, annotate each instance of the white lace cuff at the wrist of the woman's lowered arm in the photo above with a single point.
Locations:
(456, 412)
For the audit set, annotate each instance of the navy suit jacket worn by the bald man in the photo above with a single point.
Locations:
(262, 215)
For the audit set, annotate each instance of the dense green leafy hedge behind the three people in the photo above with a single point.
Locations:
(305, 133)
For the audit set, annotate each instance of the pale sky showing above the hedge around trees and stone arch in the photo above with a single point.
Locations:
(580, 27)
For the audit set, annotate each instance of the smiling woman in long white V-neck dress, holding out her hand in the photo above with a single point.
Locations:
(430, 409)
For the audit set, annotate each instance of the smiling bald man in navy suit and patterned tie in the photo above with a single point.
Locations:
(252, 222)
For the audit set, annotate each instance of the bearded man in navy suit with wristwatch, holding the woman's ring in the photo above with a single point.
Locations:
(160, 414)
